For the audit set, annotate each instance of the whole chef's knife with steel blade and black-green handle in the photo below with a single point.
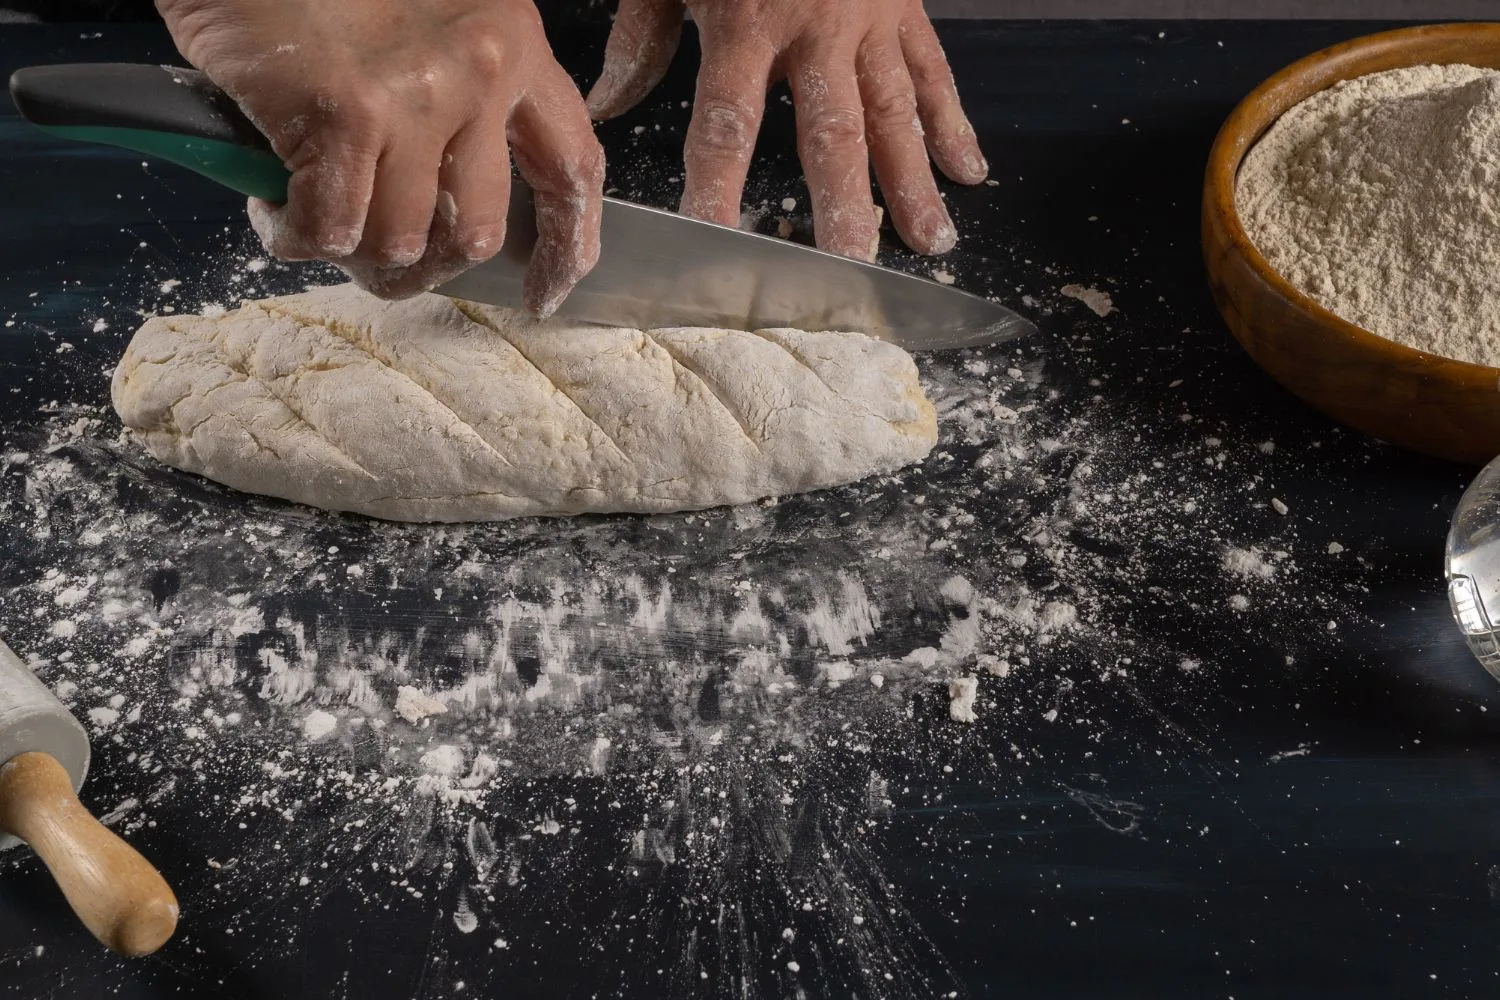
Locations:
(658, 269)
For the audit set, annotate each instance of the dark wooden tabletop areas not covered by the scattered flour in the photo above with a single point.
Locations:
(1316, 818)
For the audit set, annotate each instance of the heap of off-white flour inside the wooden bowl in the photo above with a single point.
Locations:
(1378, 199)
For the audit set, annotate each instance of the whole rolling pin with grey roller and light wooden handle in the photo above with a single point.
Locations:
(44, 758)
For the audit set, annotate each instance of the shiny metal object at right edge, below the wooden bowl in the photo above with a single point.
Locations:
(1474, 567)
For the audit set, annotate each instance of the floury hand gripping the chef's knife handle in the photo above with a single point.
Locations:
(395, 118)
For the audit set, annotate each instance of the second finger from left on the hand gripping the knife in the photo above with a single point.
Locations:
(403, 203)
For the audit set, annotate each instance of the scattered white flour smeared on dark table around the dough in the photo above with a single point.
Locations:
(688, 728)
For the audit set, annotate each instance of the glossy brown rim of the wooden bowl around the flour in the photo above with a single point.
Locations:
(1255, 116)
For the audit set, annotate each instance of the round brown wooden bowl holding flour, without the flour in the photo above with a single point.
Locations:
(1439, 407)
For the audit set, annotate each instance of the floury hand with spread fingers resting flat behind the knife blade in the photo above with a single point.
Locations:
(869, 80)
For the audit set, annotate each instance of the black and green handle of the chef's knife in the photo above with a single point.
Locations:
(169, 113)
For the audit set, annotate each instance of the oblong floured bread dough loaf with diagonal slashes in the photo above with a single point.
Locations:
(436, 410)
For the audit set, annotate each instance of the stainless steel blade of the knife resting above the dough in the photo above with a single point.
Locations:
(659, 269)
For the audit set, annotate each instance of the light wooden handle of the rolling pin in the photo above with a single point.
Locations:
(116, 893)
